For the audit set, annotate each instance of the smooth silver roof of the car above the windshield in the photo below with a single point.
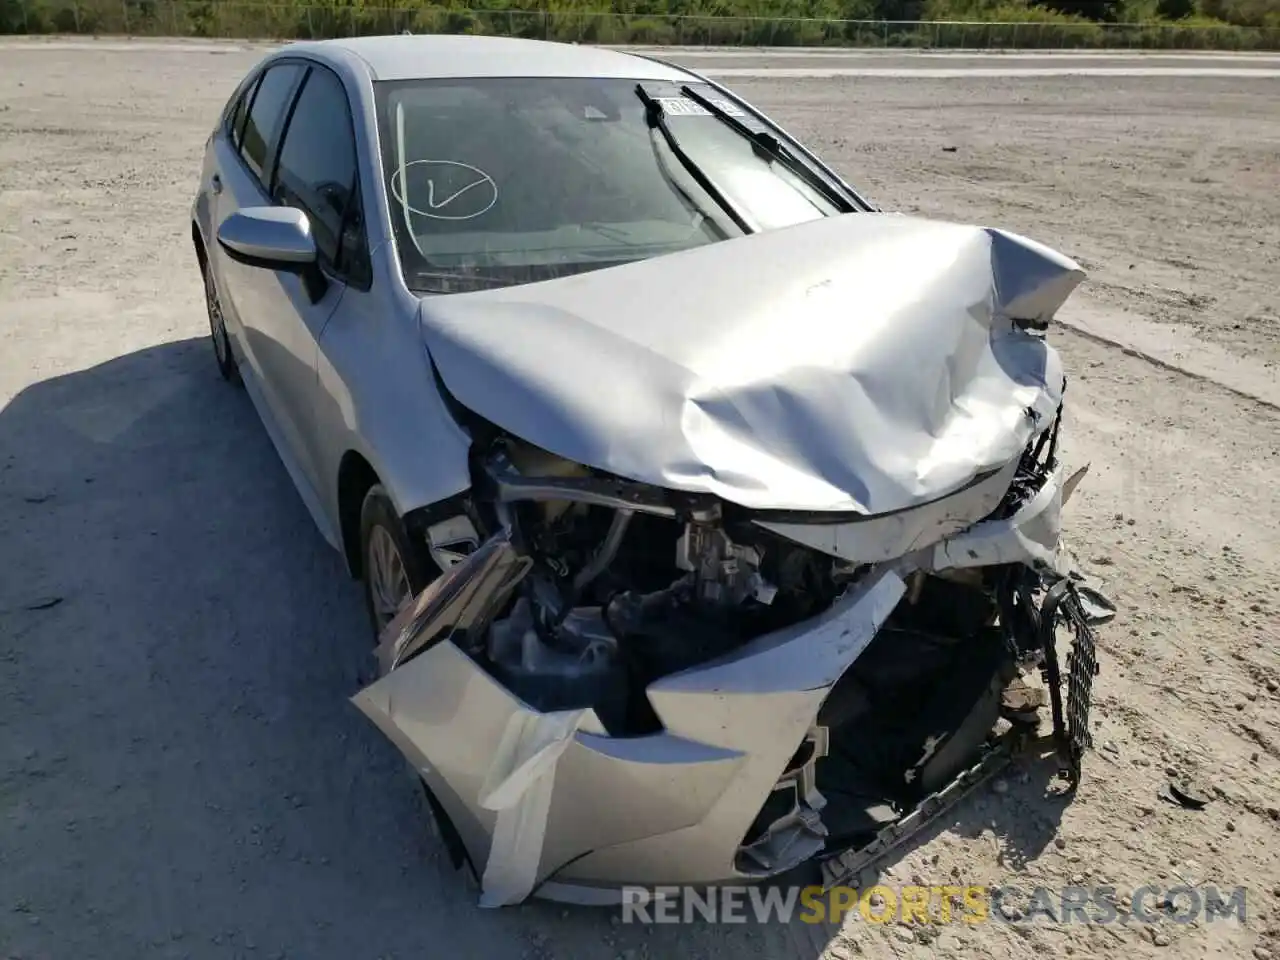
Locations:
(432, 56)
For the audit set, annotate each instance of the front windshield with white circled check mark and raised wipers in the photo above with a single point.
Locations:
(505, 181)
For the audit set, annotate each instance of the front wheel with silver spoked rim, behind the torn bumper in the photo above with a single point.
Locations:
(395, 569)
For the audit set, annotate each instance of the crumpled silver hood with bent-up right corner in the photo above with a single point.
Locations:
(862, 363)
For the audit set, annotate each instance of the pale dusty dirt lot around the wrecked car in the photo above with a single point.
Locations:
(181, 774)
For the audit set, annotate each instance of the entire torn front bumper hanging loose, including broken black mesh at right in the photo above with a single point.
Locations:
(550, 804)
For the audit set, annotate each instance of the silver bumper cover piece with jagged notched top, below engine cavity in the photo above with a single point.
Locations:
(518, 778)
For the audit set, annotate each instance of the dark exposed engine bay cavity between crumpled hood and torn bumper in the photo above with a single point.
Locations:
(619, 597)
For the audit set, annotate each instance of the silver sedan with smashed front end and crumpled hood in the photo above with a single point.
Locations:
(708, 518)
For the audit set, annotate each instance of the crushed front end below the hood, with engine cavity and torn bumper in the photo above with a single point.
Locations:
(619, 685)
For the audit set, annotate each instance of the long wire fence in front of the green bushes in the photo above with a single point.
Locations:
(289, 21)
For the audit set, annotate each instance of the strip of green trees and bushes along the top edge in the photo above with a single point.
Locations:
(922, 24)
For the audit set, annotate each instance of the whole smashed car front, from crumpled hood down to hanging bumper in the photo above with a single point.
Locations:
(764, 532)
